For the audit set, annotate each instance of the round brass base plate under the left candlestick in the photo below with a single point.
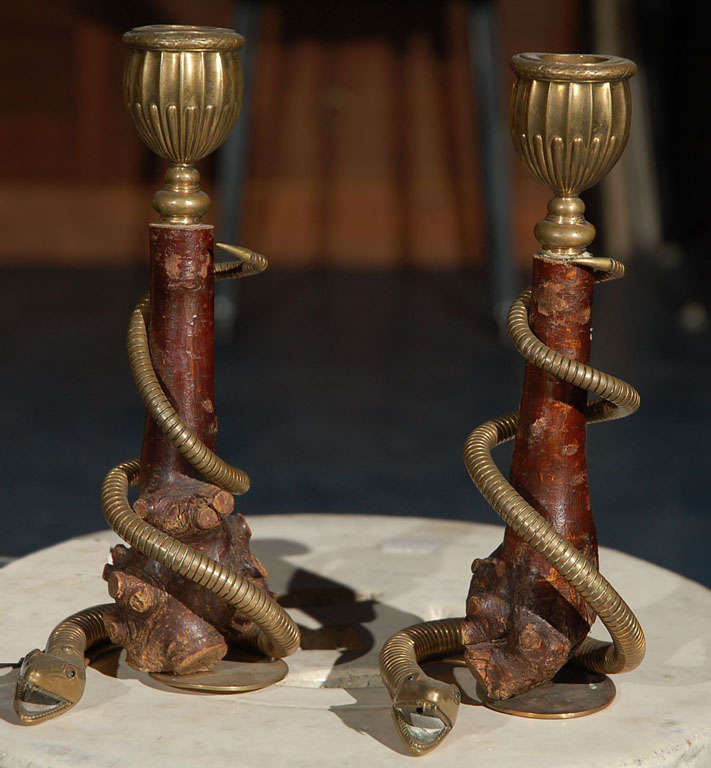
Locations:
(229, 677)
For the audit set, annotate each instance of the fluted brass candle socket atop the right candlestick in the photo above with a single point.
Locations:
(570, 121)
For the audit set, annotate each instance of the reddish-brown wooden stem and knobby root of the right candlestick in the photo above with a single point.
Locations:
(524, 619)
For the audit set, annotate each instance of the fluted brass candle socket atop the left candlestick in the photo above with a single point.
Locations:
(183, 89)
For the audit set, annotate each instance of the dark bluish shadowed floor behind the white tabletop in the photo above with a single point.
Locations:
(350, 393)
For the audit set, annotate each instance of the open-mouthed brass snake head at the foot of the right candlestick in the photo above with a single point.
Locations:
(424, 711)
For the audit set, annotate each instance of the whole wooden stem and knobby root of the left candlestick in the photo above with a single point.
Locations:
(165, 622)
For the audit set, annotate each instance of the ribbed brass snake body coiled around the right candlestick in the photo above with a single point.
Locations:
(399, 658)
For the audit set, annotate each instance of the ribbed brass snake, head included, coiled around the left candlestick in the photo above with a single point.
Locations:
(52, 681)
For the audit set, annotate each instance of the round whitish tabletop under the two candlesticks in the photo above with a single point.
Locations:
(400, 570)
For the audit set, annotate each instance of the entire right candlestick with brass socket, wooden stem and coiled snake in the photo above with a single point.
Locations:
(531, 603)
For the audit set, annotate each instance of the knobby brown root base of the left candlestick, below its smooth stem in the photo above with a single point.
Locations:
(165, 622)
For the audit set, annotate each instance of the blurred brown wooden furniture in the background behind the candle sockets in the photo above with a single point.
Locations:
(363, 148)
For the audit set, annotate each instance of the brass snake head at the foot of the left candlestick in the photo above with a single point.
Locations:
(47, 686)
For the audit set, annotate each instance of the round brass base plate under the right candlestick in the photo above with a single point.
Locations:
(573, 692)
